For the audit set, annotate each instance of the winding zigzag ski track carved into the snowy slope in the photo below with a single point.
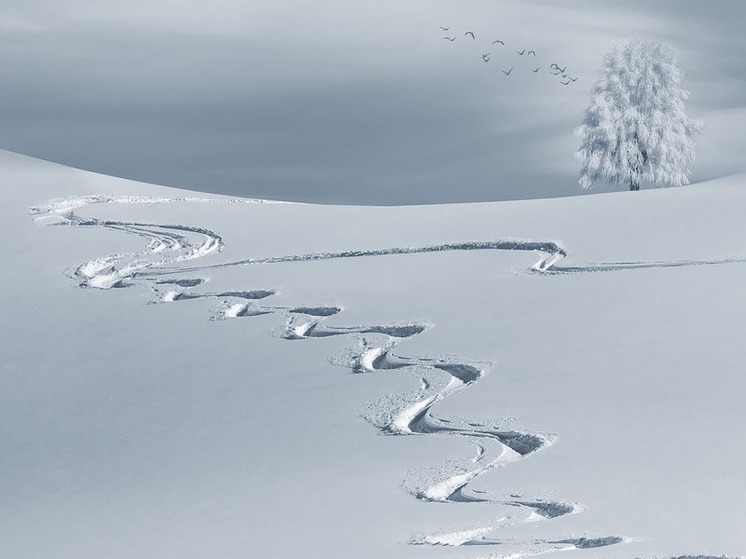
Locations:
(168, 246)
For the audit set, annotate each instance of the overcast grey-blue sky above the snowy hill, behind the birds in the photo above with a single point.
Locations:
(346, 101)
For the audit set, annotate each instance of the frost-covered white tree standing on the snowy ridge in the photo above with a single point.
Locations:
(635, 128)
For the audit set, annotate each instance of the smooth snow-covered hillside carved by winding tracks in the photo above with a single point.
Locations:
(197, 377)
